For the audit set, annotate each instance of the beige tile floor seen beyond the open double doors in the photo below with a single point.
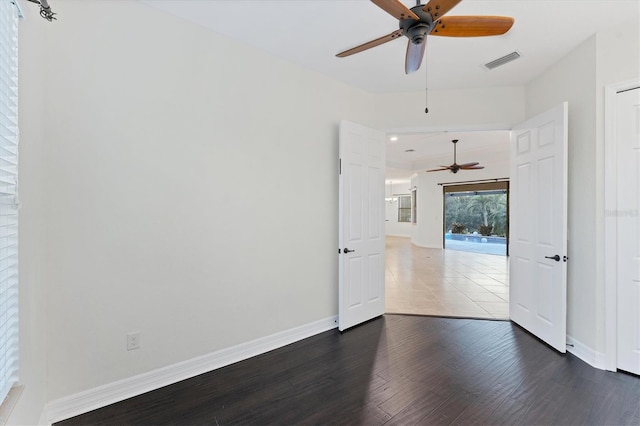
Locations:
(445, 282)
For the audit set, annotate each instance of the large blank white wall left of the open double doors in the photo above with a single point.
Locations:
(143, 132)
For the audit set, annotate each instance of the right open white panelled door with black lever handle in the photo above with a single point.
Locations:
(538, 226)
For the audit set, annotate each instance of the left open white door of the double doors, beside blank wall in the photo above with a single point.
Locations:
(361, 236)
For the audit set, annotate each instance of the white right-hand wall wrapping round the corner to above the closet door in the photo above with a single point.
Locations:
(609, 57)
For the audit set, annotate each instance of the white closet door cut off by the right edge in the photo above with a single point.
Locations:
(628, 229)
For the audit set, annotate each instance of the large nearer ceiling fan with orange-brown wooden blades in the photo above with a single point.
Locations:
(428, 19)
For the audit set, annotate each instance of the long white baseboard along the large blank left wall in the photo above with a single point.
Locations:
(110, 393)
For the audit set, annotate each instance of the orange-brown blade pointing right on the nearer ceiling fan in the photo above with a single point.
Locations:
(472, 26)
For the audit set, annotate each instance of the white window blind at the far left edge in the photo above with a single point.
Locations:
(8, 197)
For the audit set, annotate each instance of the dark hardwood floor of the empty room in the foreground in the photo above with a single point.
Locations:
(396, 370)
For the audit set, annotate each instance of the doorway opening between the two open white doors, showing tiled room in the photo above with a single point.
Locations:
(421, 277)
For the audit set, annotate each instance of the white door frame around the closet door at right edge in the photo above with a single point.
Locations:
(610, 204)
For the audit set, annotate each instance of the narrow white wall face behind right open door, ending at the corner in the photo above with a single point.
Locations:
(573, 80)
